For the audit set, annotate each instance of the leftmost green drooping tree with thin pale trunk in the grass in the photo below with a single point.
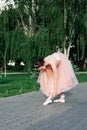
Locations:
(11, 36)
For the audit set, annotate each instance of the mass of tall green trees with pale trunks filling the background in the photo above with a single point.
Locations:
(38, 27)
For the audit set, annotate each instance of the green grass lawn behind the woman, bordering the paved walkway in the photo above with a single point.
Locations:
(23, 83)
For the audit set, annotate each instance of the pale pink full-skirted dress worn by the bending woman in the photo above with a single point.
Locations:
(61, 68)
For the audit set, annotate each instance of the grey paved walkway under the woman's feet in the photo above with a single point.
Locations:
(26, 112)
